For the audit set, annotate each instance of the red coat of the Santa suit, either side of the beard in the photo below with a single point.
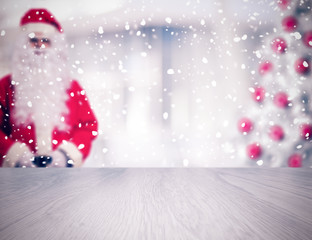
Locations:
(75, 141)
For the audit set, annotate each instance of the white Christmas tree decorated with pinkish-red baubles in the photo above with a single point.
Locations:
(277, 128)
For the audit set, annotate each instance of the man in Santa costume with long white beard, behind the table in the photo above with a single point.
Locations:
(45, 116)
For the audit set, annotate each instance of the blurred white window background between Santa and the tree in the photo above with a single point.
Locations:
(165, 78)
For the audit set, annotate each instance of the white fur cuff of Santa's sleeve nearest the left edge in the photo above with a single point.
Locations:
(16, 151)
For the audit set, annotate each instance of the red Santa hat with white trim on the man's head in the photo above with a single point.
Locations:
(40, 20)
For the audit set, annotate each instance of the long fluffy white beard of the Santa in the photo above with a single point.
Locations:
(41, 79)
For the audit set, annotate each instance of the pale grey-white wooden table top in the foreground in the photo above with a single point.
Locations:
(171, 203)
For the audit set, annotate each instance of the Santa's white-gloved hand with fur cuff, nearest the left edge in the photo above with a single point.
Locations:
(19, 155)
